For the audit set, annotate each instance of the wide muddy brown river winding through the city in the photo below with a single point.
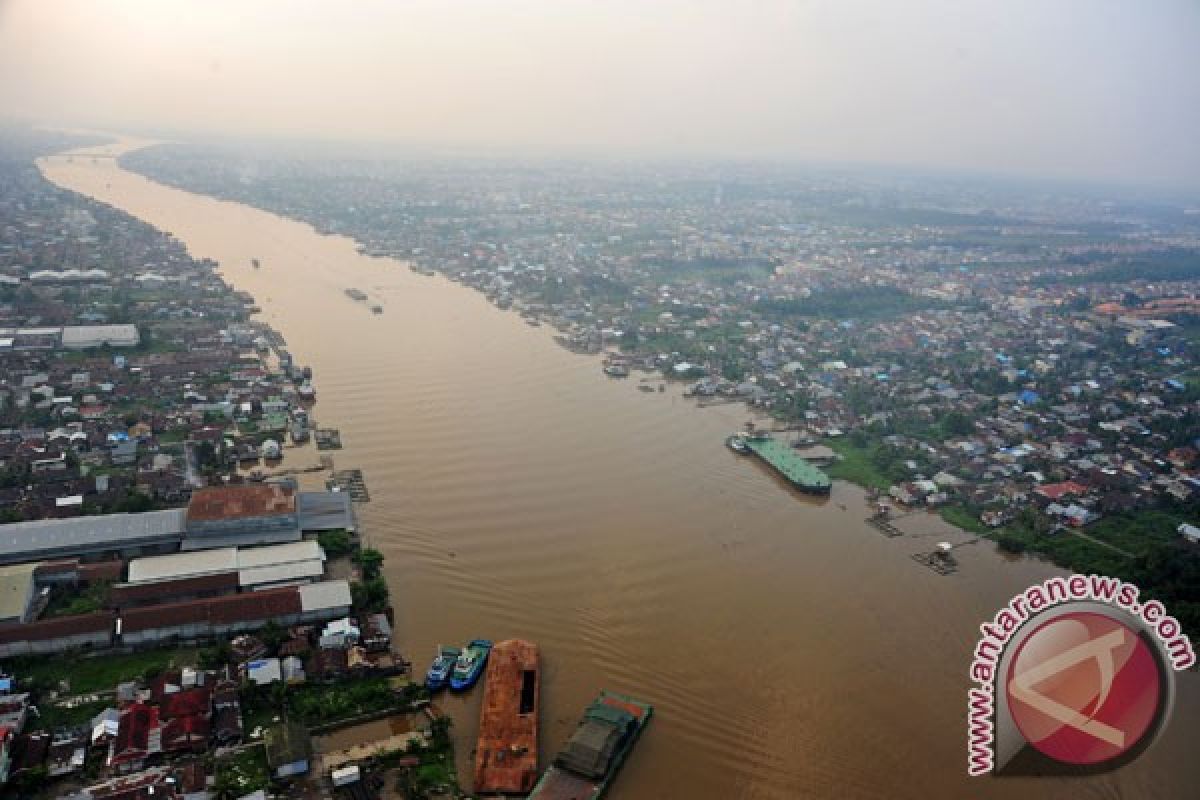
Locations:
(790, 649)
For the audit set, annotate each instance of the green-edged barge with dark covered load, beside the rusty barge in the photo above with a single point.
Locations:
(593, 755)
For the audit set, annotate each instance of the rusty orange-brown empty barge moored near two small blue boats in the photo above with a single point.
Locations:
(507, 754)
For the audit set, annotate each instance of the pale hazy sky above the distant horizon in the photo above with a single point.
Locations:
(1107, 89)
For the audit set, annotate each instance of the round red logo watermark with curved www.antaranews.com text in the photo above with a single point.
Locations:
(1075, 673)
